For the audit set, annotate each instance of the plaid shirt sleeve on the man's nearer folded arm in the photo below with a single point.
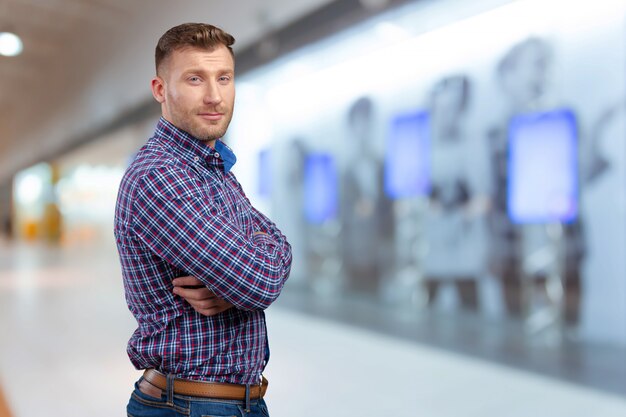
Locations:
(182, 225)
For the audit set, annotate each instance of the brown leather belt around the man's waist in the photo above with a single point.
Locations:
(215, 390)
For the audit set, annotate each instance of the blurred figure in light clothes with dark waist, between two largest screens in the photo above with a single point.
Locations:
(452, 221)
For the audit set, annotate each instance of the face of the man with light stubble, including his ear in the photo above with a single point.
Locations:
(196, 89)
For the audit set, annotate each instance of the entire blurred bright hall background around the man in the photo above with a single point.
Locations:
(451, 175)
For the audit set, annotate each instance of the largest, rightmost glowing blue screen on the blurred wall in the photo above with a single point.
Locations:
(543, 167)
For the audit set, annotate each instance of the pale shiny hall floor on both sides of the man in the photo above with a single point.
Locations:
(64, 326)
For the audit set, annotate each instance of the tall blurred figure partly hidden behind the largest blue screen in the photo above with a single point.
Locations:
(523, 77)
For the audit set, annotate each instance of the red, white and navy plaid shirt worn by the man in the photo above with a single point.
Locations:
(180, 211)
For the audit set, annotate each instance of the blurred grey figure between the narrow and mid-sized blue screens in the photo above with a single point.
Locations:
(365, 208)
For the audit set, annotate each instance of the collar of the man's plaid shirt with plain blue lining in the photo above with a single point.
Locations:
(194, 149)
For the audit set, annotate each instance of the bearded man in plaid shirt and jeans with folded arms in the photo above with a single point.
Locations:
(200, 264)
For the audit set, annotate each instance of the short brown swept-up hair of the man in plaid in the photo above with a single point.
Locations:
(196, 35)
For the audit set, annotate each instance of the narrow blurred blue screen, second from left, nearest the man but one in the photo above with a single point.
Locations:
(320, 188)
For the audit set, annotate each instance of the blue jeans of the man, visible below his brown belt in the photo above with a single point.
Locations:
(143, 405)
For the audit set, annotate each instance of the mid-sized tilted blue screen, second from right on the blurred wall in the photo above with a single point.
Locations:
(407, 157)
